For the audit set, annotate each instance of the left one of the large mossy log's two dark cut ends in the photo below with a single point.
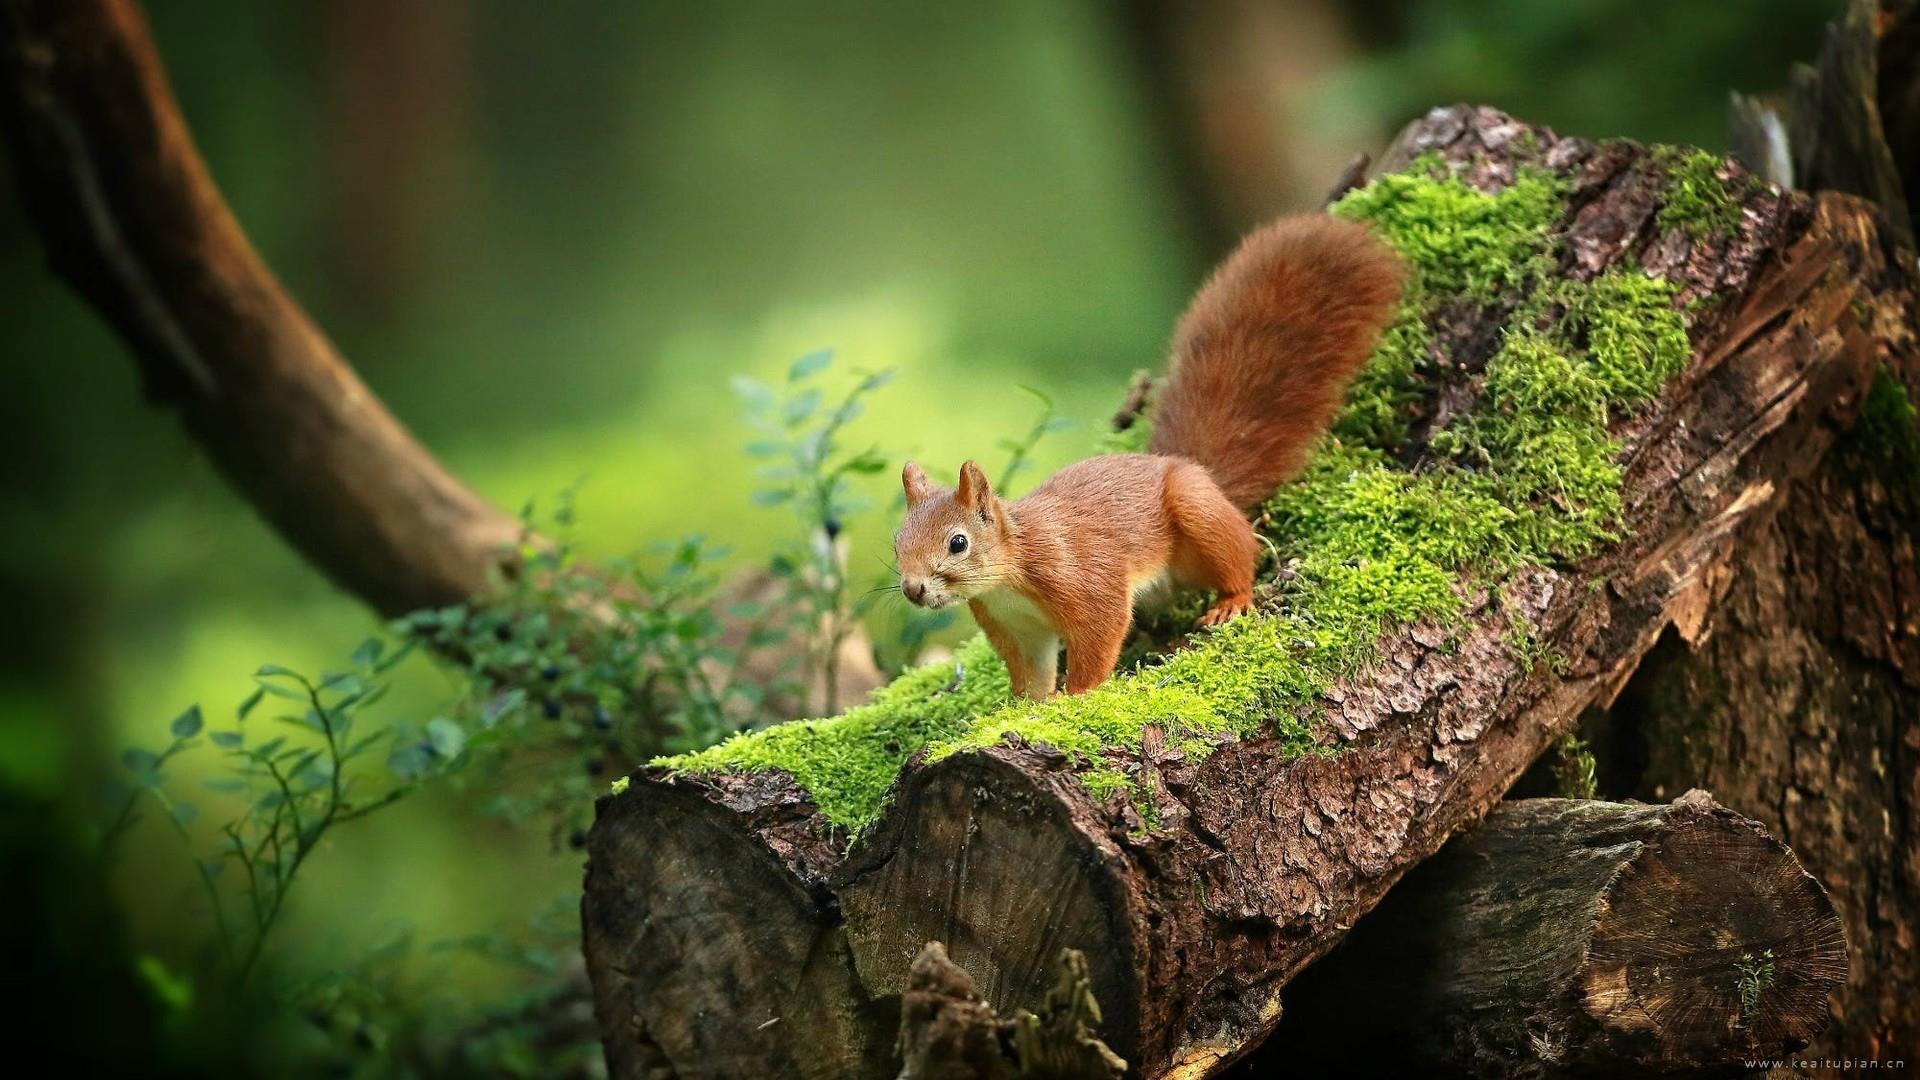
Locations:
(715, 975)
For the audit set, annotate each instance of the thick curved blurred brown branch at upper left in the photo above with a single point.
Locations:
(133, 220)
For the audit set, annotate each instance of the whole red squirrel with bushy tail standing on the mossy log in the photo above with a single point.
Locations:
(1260, 364)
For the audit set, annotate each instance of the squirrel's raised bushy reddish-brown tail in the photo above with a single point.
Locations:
(1266, 351)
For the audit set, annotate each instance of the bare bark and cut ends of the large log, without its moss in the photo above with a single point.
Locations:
(1259, 860)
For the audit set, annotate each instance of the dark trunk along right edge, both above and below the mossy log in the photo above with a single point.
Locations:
(1798, 697)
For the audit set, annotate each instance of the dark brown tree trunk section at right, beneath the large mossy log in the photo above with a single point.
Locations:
(1800, 702)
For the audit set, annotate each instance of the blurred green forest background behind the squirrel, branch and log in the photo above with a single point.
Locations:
(550, 233)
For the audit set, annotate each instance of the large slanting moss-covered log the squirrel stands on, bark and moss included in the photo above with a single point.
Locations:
(1612, 364)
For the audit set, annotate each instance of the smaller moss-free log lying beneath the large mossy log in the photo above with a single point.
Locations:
(1579, 937)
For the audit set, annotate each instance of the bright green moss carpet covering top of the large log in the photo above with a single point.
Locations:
(1525, 478)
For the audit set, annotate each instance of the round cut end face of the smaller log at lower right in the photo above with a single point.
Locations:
(1714, 945)
